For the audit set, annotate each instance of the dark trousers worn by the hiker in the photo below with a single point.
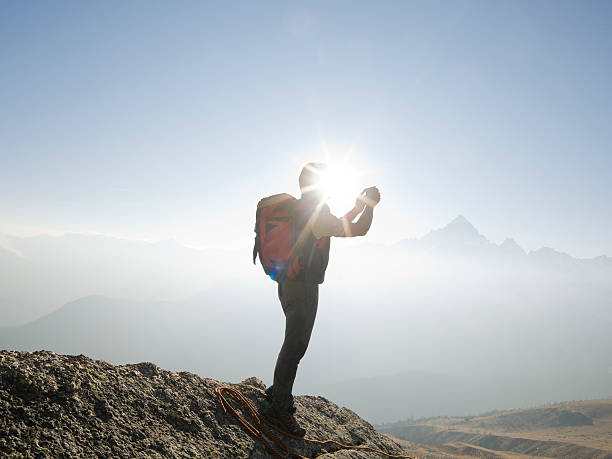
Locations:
(299, 301)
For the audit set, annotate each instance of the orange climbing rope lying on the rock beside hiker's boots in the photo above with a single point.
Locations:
(259, 431)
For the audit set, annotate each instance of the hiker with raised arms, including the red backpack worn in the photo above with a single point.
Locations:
(293, 241)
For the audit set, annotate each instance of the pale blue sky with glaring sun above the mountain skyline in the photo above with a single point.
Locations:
(171, 119)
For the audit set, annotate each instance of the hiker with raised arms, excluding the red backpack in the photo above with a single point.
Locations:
(299, 297)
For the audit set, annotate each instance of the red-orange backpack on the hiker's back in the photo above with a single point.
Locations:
(276, 237)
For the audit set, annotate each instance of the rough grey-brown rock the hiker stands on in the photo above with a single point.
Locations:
(72, 406)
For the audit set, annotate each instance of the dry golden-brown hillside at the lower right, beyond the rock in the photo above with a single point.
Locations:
(580, 429)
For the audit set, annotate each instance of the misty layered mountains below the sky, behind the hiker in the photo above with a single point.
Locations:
(448, 324)
